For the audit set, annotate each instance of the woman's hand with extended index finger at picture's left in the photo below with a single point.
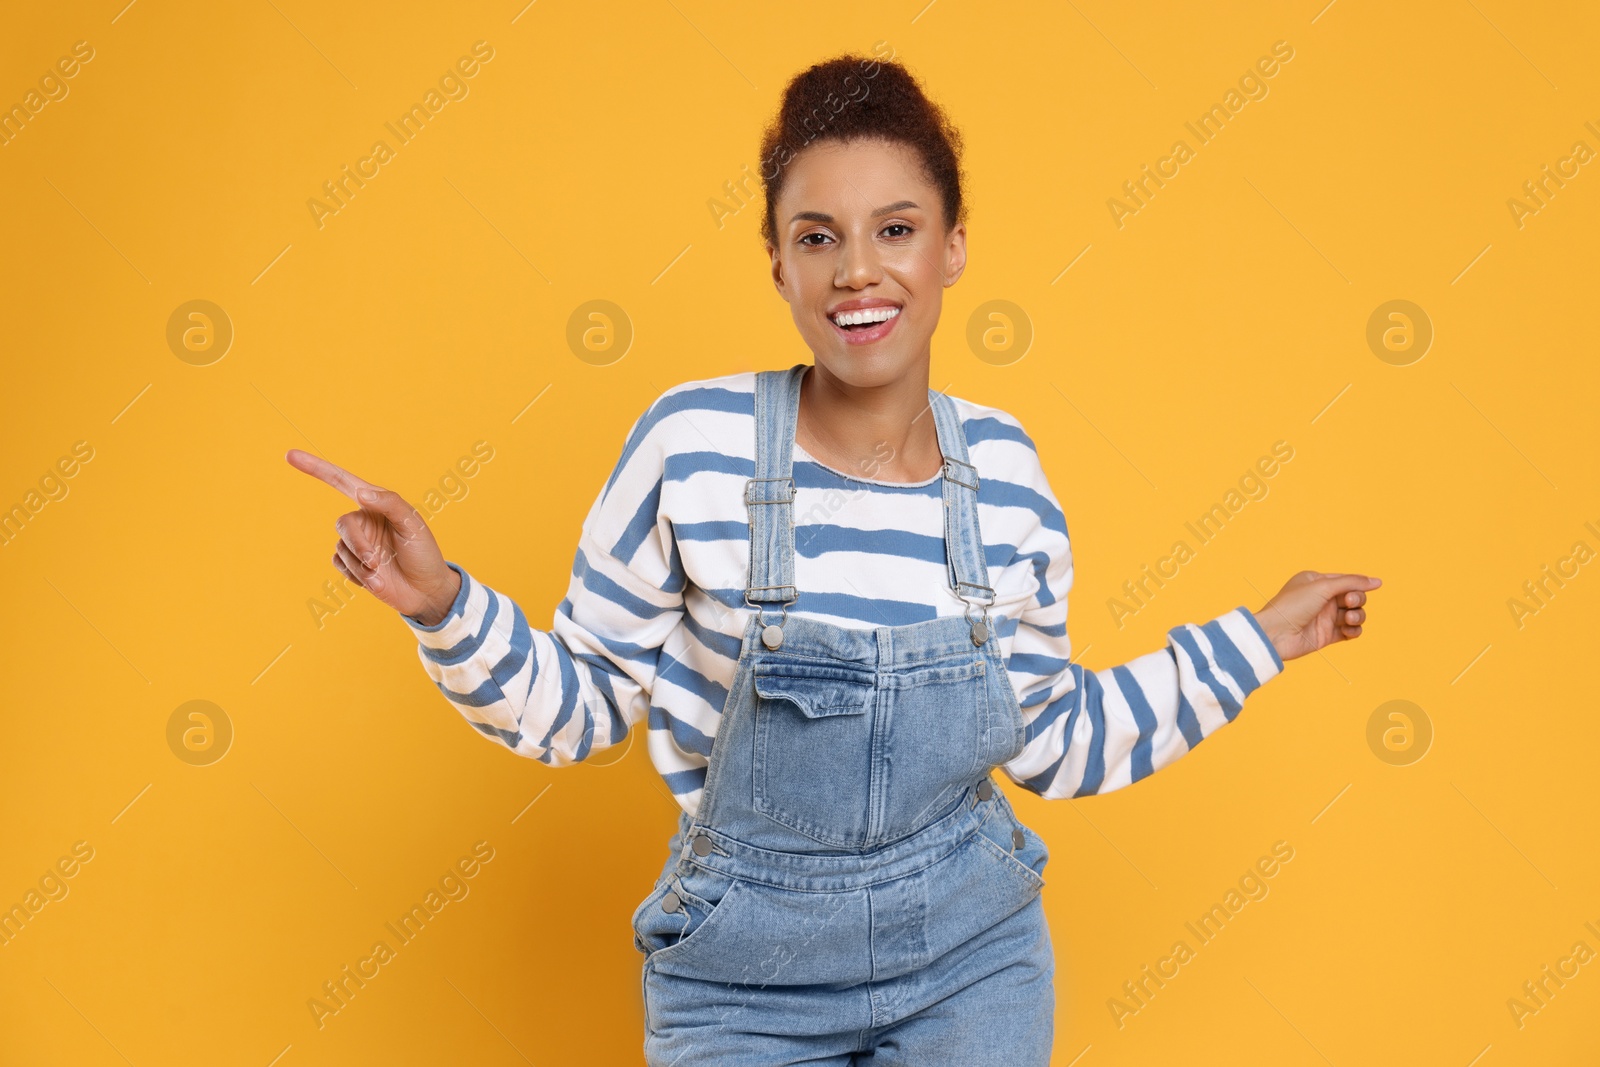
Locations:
(386, 548)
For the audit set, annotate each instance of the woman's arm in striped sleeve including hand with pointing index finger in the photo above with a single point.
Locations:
(556, 695)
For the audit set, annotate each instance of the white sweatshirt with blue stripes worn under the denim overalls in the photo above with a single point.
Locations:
(654, 618)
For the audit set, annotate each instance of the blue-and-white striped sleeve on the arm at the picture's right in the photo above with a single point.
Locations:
(1094, 732)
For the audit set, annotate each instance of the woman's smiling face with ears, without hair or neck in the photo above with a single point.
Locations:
(860, 226)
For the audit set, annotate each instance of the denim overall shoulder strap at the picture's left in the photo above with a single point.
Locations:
(770, 495)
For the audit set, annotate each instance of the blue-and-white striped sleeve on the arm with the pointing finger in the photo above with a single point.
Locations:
(564, 693)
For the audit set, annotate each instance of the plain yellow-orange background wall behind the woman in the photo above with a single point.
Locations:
(1228, 314)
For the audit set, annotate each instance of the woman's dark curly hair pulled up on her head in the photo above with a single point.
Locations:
(852, 98)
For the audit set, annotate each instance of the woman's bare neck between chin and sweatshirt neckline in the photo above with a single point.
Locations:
(884, 433)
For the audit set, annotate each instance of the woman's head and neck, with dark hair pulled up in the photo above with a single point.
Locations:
(865, 230)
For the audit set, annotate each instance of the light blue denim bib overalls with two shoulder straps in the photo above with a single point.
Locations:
(854, 889)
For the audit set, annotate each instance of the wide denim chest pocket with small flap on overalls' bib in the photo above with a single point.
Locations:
(852, 759)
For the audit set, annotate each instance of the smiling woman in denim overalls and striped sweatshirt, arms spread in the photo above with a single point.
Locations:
(839, 599)
